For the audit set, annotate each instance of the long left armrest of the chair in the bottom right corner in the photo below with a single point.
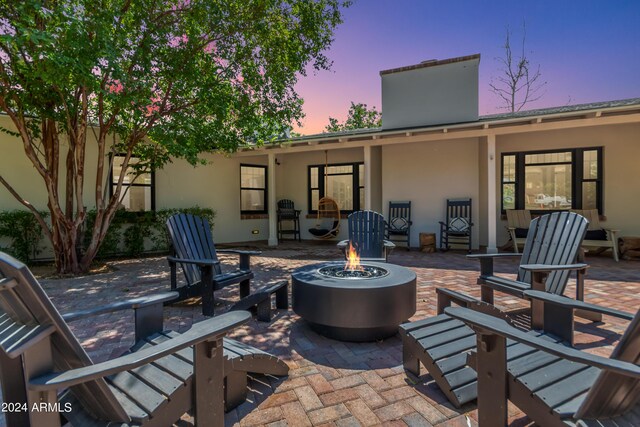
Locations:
(486, 323)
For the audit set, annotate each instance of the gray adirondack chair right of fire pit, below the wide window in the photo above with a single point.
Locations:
(549, 256)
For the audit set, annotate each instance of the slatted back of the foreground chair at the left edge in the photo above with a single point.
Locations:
(36, 339)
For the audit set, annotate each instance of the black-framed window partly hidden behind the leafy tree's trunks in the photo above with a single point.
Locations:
(137, 187)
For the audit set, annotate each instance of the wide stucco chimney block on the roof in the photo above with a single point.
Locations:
(431, 93)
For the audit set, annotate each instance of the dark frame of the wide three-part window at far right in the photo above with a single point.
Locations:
(577, 177)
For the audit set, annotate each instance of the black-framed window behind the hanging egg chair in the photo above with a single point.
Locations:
(344, 184)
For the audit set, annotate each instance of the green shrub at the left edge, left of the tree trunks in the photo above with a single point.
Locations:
(24, 234)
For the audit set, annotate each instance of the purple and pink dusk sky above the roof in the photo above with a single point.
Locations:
(588, 51)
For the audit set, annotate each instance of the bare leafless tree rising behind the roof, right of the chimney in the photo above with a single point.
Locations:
(519, 83)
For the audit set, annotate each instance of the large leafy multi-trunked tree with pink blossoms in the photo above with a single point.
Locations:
(149, 81)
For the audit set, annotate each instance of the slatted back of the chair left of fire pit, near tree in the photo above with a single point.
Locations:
(191, 239)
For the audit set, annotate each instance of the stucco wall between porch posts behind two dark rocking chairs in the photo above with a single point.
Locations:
(428, 173)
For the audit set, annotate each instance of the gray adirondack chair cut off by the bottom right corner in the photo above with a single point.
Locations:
(553, 384)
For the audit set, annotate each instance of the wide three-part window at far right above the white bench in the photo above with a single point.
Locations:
(552, 180)
